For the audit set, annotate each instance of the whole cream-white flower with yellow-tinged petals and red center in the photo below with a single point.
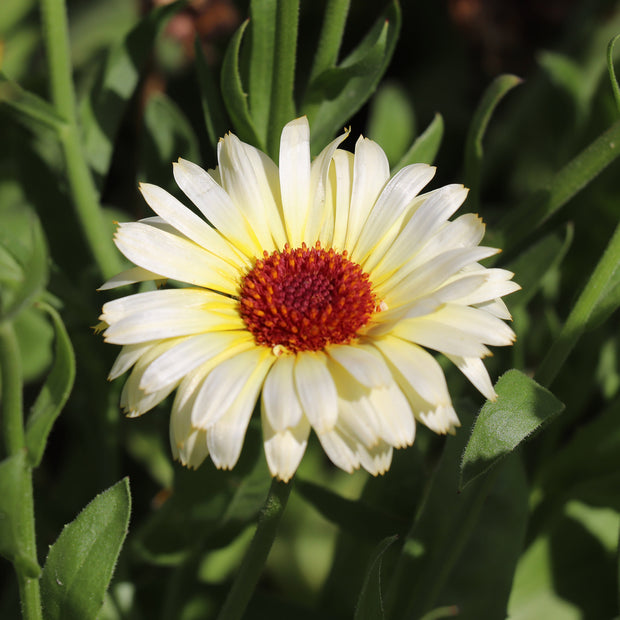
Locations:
(317, 287)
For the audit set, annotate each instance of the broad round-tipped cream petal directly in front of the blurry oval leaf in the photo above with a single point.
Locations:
(371, 171)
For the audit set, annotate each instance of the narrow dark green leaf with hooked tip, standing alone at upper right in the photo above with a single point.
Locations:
(500, 86)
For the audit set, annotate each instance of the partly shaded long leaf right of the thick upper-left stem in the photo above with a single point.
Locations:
(102, 110)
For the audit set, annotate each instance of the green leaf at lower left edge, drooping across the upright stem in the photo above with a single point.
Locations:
(13, 472)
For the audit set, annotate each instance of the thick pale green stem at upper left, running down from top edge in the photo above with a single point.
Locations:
(83, 190)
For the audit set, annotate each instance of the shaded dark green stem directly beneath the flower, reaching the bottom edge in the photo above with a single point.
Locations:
(256, 555)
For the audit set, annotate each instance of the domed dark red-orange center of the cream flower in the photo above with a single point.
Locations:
(305, 299)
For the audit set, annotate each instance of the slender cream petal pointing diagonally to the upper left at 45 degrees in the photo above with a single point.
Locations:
(216, 205)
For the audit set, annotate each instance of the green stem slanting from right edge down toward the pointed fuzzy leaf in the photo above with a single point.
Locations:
(577, 320)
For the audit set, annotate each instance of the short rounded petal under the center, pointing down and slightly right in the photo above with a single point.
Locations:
(316, 390)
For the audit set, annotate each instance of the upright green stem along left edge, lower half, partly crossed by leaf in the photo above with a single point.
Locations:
(13, 431)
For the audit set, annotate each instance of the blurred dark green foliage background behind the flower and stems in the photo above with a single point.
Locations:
(547, 516)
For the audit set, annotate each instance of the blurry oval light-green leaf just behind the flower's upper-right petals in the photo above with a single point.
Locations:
(392, 121)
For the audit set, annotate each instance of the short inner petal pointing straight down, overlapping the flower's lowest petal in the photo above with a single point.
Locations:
(280, 401)
